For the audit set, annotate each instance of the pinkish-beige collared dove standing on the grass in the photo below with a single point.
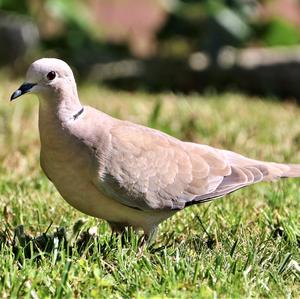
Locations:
(122, 172)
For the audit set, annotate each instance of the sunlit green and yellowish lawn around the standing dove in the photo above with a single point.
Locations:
(244, 245)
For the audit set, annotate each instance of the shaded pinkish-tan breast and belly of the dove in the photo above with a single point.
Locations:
(69, 162)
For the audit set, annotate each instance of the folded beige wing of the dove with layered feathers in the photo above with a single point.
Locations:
(149, 170)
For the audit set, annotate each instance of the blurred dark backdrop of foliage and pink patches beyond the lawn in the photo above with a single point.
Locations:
(178, 45)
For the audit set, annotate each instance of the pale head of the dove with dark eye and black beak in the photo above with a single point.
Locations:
(48, 78)
